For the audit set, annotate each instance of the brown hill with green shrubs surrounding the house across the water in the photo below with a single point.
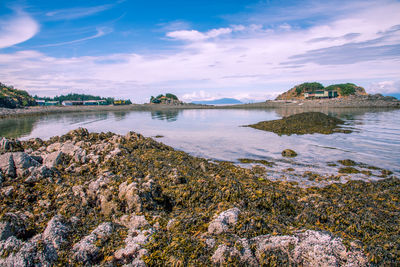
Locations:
(343, 90)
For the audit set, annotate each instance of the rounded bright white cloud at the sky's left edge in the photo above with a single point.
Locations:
(17, 29)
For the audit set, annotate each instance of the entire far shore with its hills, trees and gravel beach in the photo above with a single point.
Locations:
(14, 102)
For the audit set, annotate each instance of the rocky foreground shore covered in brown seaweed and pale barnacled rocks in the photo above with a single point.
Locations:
(111, 200)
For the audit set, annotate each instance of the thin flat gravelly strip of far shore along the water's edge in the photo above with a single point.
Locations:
(359, 102)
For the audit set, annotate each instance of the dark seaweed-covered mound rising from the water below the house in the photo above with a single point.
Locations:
(302, 123)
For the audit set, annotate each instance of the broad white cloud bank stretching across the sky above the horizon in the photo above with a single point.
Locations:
(252, 61)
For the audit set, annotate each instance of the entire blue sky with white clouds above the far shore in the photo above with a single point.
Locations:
(197, 49)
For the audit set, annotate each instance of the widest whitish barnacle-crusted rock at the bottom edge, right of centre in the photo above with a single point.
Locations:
(309, 248)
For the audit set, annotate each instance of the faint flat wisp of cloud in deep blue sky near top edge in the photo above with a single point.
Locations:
(76, 13)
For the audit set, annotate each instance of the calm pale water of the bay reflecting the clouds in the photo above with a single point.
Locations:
(217, 134)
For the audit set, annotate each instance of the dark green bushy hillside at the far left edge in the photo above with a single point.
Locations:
(14, 98)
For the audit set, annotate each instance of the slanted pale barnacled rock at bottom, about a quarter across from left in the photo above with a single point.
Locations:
(87, 251)
